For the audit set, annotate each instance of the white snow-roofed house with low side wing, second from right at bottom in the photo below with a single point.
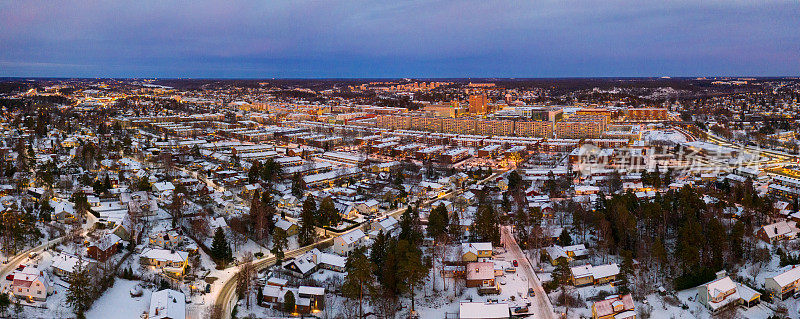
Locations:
(723, 292)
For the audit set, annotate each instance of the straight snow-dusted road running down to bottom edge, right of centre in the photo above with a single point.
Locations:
(542, 308)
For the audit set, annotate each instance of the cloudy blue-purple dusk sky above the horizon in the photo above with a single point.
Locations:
(393, 39)
